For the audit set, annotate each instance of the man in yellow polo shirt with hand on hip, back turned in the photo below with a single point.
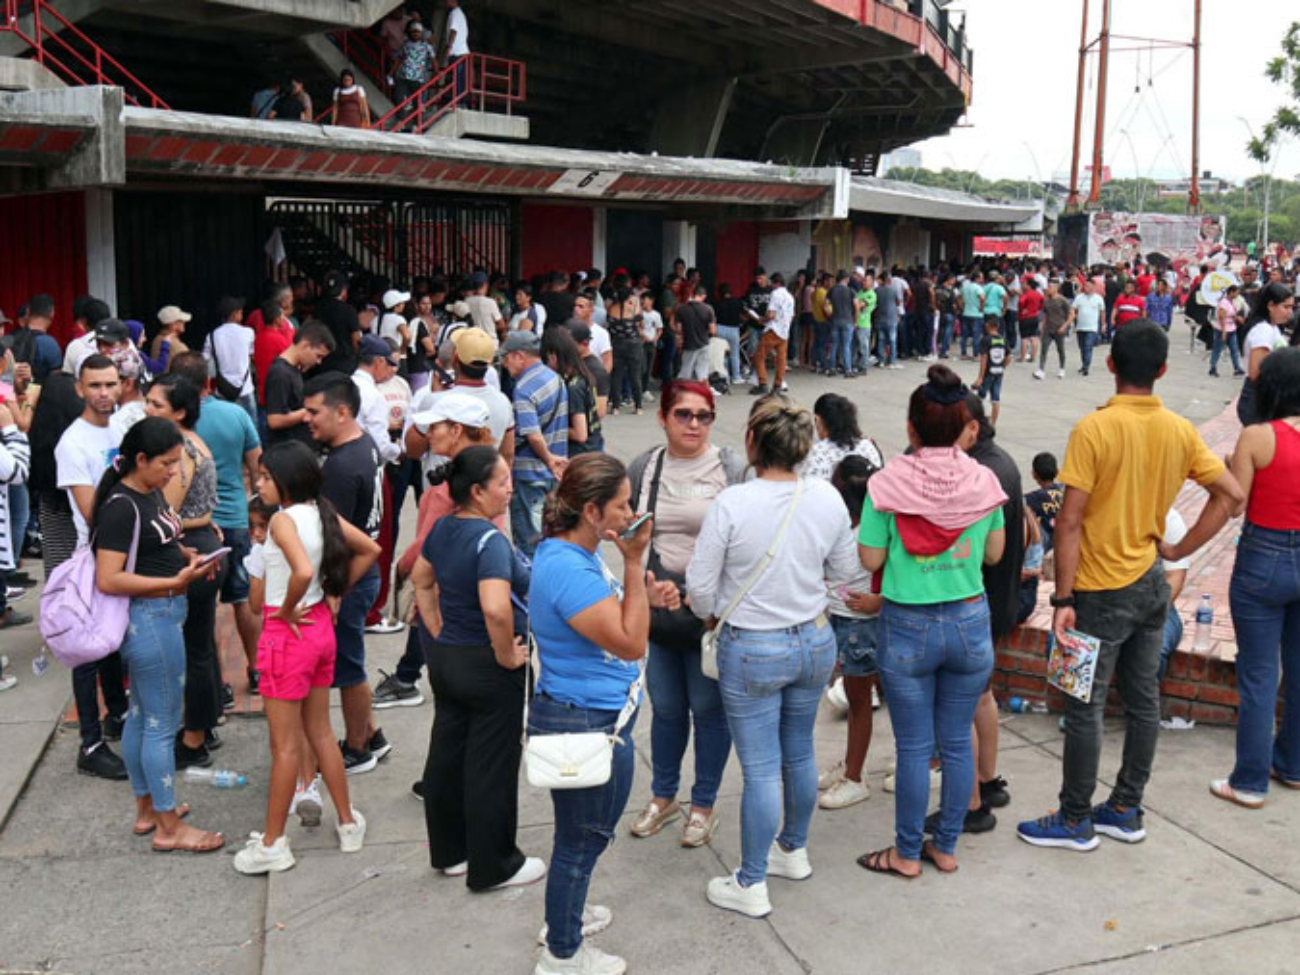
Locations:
(1124, 467)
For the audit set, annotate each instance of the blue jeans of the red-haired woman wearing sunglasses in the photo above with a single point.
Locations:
(679, 692)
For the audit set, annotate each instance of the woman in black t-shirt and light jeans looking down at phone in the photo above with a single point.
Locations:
(132, 514)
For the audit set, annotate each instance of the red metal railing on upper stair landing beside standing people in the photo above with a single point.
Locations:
(486, 84)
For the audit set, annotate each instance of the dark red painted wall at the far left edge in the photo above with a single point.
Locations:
(45, 252)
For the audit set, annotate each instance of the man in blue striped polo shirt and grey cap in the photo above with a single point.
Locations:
(541, 428)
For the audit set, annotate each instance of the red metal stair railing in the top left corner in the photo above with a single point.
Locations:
(51, 38)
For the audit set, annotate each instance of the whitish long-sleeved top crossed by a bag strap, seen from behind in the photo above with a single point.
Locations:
(736, 534)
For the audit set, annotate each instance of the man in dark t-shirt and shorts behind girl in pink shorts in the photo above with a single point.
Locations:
(354, 486)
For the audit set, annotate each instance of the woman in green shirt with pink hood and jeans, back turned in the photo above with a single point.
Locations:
(933, 519)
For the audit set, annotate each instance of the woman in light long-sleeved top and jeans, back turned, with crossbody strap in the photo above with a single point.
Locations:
(777, 648)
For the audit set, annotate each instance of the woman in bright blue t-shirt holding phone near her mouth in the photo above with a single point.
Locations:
(591, 632)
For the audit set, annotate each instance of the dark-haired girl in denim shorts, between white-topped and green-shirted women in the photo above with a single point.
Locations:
(855, 605)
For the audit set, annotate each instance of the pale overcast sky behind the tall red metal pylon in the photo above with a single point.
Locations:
(1021, 119)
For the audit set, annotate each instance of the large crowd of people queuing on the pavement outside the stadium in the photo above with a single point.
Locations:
(266, 466)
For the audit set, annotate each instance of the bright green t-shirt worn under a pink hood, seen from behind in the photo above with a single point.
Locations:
(929, 579)
